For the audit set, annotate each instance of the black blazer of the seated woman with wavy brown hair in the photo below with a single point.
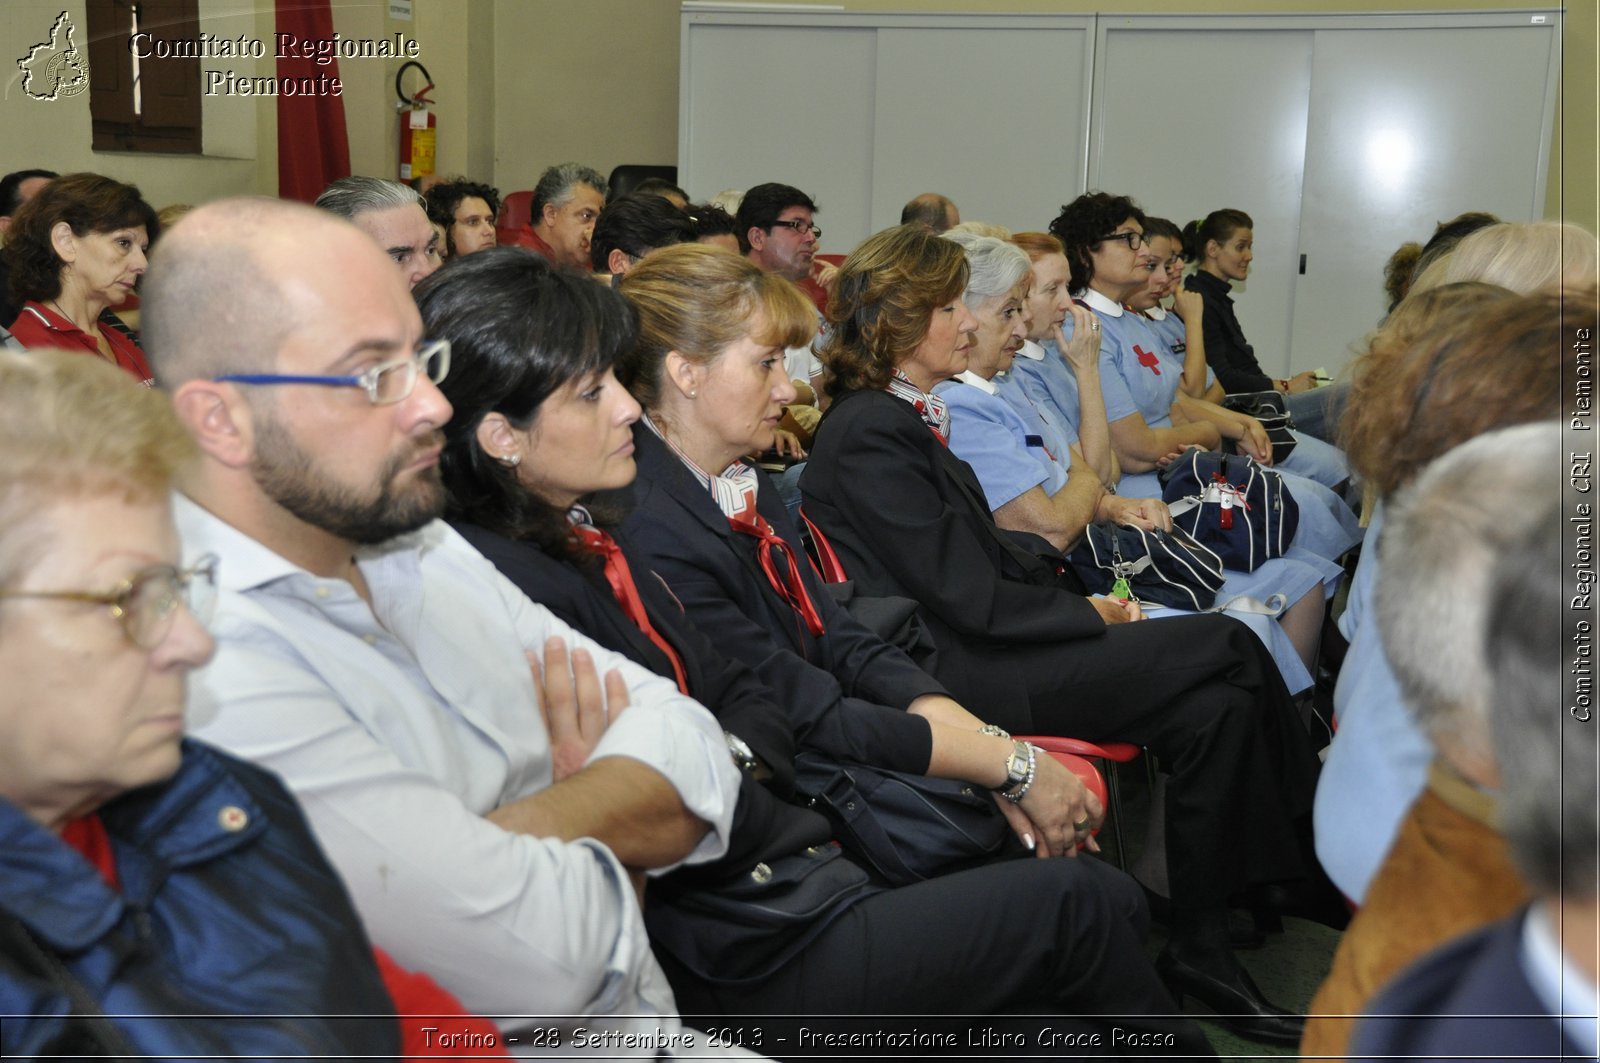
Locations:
(908, 518)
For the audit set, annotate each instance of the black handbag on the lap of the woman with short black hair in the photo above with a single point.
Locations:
(746, 928)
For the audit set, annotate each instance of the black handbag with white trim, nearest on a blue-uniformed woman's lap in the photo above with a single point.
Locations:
(1164, 568)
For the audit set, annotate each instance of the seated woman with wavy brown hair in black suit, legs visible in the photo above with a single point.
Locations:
(908, 518)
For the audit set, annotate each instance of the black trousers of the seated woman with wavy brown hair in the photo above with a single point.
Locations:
(1204, 696)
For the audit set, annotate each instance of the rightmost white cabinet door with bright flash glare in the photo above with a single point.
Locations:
(1410, 127)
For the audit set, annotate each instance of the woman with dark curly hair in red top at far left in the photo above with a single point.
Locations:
(78, 249)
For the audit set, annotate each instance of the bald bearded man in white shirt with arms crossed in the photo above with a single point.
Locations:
(457, 750)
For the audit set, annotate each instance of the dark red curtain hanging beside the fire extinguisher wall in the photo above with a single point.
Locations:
(313, 143)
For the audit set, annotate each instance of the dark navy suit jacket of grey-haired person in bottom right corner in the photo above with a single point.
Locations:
(1466, 1000)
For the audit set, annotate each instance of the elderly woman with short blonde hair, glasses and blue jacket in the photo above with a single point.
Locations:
(146, 881)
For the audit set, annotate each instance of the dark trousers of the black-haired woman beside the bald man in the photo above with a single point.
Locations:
(1042, 937)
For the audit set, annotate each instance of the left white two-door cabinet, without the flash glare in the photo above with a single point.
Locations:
(866, 110)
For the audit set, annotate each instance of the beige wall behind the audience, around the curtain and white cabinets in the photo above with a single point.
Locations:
(526, 84)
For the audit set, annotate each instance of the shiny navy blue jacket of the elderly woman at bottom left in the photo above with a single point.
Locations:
(228, 909)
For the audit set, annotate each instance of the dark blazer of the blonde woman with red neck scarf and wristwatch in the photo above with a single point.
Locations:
(846, 691)
